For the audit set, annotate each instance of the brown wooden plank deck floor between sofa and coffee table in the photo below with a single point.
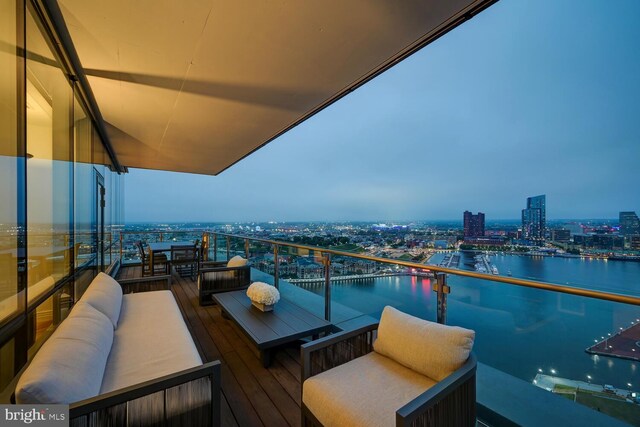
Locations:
(251, 394)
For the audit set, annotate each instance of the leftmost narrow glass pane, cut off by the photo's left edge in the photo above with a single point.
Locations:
(12, 200)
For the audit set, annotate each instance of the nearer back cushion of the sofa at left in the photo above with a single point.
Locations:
(70, 365)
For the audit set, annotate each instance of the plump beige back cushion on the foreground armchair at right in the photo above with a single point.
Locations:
(430, 348)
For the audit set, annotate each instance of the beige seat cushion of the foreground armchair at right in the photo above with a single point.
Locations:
(366, 391)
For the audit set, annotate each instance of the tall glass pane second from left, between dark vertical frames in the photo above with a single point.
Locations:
(49, 168)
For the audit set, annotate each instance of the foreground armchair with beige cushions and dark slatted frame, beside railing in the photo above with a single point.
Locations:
(416, 373)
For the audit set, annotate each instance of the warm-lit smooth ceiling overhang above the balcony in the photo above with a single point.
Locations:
(196, 86)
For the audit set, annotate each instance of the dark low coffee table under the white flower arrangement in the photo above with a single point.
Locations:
(285, 324)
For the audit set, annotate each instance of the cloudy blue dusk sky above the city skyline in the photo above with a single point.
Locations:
(528, 98)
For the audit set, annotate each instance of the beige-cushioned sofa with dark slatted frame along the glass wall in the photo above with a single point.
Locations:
(124, 358)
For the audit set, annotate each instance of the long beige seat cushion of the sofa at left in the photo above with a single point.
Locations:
(151, 341)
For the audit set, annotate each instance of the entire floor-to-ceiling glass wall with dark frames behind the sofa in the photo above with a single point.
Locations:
(55, 220)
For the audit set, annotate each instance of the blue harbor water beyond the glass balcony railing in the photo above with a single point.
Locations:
(519, 330)
